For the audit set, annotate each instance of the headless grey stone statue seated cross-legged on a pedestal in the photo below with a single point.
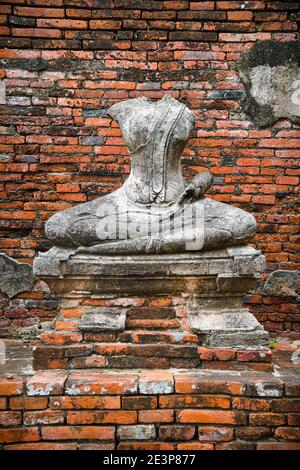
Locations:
(156, 210)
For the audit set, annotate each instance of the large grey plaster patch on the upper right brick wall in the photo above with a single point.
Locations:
(270, 72)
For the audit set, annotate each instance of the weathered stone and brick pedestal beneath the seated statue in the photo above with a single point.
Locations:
(152, 311)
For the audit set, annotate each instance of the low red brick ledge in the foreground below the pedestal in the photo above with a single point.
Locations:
(57, 410)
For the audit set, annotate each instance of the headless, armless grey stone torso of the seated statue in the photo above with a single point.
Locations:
(155, 149)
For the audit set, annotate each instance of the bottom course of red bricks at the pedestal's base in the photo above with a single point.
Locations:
(128, 354)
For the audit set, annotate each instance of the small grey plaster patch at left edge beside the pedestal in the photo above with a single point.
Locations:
(15, 277)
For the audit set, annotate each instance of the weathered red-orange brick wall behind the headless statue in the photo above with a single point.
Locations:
(64, 62)
